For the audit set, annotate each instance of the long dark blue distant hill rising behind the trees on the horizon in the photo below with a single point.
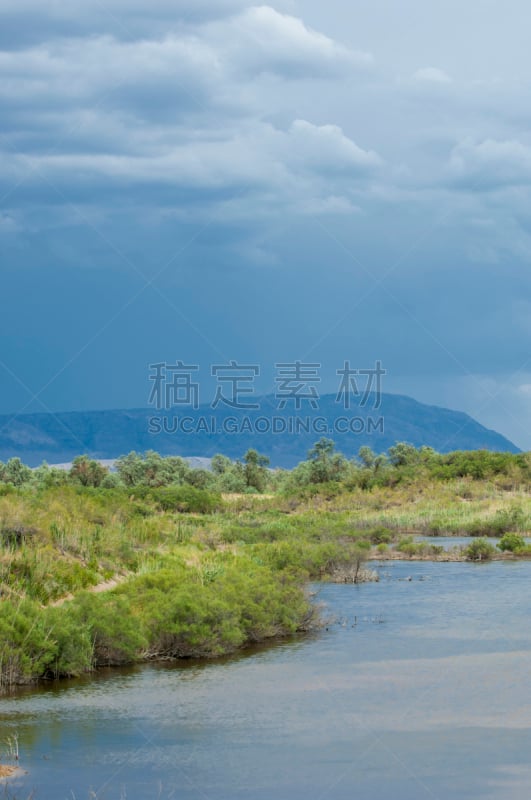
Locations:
(59, 437)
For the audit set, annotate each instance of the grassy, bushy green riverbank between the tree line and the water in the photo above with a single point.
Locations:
(93, 578)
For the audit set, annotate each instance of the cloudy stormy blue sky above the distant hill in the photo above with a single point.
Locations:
(214, 180)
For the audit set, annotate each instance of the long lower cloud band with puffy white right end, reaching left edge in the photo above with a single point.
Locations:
(254, 155)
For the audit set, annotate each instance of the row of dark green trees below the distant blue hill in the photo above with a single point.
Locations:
(252, 474)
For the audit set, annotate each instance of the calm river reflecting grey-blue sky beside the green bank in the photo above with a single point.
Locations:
(420, 687)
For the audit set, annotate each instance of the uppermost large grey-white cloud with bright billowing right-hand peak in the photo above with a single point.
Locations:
(206, 70)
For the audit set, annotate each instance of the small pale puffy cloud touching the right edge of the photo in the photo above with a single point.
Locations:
(490, 164)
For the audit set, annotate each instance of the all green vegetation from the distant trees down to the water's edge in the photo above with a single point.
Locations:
(157, 560)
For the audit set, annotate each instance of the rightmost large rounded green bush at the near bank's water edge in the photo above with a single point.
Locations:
(217, 610)
